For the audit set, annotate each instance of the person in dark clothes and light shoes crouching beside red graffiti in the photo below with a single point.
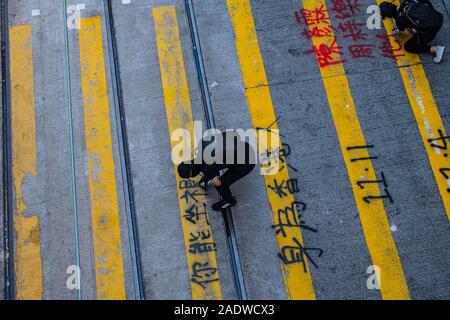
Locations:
(419, 20)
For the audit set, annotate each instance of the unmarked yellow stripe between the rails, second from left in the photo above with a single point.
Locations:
(102, 181)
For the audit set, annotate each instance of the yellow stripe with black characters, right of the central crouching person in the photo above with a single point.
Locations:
(298, 283)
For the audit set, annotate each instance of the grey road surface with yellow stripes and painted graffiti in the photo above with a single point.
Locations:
(360, 208)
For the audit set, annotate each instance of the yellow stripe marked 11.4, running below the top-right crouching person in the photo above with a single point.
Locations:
(427, 115)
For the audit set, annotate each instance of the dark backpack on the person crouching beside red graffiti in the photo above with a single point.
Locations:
(423, 16)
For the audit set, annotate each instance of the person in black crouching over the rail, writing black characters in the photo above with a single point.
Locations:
(235, 156)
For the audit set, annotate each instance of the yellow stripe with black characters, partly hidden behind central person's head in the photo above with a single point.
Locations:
(179, 116)
